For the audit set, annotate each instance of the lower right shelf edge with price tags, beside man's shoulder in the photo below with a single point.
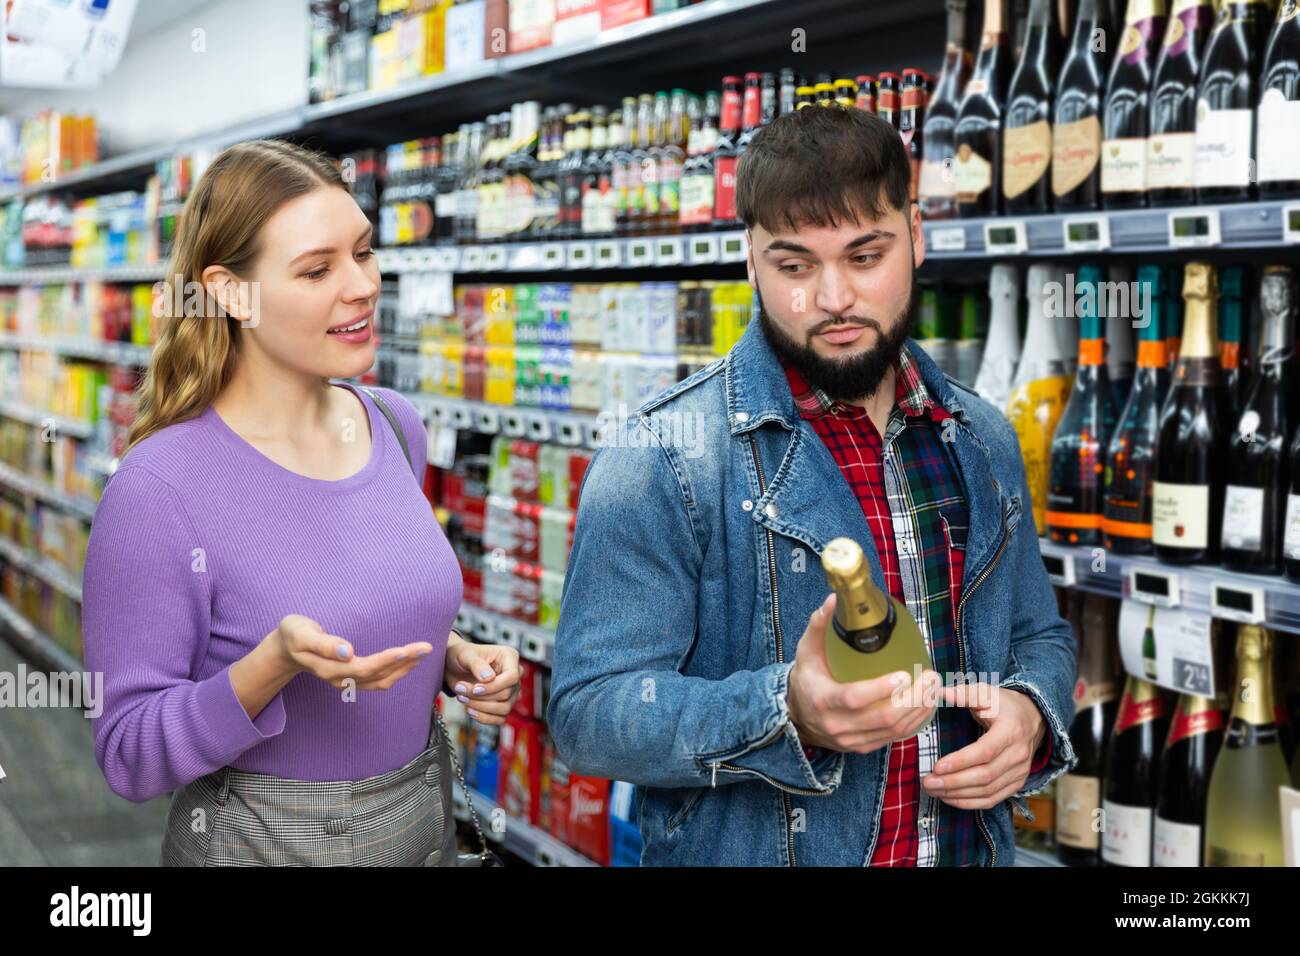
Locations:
(1269, 600)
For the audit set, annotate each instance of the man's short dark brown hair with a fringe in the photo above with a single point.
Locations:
(822, 167)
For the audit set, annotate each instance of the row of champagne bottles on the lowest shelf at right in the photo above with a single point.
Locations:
(1167, 778)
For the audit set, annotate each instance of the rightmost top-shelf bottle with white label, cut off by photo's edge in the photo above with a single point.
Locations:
(1280, 107)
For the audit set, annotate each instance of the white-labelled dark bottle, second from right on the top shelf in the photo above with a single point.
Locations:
(1225, 103)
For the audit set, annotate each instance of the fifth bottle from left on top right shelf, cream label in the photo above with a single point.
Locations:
(1126, 113)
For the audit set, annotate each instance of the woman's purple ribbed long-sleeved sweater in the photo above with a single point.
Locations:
(201, 546)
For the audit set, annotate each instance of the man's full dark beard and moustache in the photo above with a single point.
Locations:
(857, 377)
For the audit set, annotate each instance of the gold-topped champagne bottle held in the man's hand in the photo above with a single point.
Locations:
(872, 634)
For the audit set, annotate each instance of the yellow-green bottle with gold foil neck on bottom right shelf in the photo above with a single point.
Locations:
(1243, 823)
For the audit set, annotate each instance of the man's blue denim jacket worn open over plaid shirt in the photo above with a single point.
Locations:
(695, 569)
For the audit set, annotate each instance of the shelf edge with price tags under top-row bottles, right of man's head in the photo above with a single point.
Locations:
(1237, 226)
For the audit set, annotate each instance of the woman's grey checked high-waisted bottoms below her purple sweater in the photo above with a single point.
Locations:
(237, 819)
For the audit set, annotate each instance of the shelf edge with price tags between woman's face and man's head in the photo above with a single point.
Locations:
(558, 256)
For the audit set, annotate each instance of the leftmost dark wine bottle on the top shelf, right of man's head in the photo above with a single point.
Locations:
(938, 180)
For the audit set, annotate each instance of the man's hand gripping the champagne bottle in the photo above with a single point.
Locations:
(859, 717)
